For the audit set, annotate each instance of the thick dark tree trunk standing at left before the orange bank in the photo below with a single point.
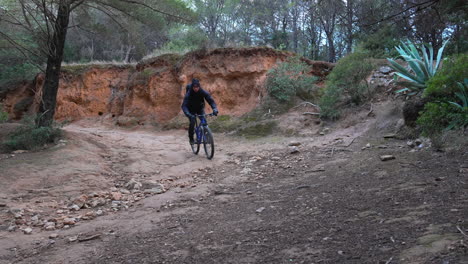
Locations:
(46, 111)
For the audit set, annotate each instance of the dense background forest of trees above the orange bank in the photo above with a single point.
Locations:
(321, 30)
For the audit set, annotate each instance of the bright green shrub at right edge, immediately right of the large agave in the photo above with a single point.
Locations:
(444, 84)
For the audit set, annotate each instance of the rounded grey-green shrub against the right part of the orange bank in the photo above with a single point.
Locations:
(289, 79)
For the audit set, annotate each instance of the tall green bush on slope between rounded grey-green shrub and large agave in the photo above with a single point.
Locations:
(348, 79)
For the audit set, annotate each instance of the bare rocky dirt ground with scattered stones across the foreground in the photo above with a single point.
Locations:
(350, 194)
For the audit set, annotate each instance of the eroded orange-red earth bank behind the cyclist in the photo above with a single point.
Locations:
(152, 90)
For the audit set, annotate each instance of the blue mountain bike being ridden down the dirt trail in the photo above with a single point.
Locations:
(203, 136)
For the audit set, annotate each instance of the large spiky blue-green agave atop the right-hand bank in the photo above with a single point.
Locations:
(422, 66)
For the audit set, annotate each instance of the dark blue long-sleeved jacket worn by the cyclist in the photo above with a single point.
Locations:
(194, 103)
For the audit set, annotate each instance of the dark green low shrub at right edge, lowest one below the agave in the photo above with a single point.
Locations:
(440, 116)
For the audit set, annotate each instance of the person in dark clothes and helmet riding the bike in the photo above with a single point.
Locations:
(194, 104)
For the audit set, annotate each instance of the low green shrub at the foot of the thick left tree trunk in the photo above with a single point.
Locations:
(30, 137)
